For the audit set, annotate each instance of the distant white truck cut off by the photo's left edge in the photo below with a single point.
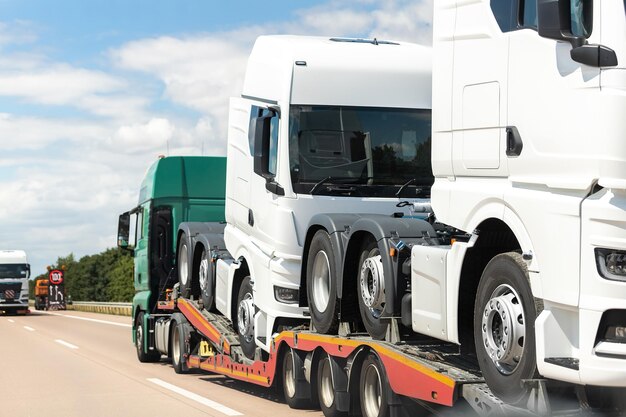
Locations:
(14, 274)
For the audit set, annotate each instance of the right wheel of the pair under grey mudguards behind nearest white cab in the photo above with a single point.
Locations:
(371, 290)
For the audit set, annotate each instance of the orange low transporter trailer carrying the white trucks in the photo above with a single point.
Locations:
(346, 374)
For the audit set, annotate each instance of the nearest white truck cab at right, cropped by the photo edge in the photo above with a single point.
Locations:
(529, 157)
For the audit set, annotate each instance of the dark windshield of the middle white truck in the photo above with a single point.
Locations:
(370, 151)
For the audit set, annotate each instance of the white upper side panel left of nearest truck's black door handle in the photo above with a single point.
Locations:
(479, 90)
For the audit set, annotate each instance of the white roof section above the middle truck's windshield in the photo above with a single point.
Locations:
(308, 70)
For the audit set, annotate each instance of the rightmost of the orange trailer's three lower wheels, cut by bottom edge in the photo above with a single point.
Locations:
(373, 388)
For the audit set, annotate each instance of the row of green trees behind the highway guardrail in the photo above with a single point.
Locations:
(105, 277)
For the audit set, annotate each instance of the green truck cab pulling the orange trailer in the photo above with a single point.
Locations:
(174, 190)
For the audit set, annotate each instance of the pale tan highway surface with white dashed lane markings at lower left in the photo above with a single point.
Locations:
(70, 364)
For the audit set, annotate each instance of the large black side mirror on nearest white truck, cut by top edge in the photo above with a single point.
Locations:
(554, 21)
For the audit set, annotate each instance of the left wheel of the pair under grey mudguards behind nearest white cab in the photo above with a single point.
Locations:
(321, 285)
